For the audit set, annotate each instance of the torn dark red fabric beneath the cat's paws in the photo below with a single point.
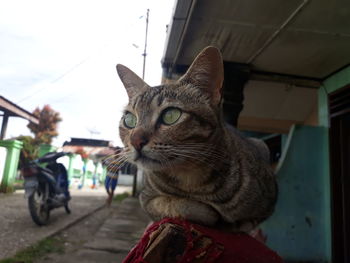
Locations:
(237, 248)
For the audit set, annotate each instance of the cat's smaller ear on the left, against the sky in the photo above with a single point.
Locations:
(132, 83)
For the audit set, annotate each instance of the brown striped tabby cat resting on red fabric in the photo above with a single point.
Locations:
(196, 167)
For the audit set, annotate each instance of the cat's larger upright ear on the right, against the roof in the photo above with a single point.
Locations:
(207, 73)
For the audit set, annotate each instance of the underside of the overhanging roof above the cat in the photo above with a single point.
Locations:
(303, 38)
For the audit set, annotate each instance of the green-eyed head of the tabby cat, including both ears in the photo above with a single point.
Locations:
(175, 124)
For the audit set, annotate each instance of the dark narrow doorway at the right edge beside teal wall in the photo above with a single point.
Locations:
(339, 108)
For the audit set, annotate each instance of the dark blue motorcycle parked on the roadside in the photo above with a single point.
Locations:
(46, 187)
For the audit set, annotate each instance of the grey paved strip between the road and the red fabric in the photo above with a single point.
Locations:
(110, 241)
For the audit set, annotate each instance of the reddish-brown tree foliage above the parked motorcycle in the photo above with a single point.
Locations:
(46, 130)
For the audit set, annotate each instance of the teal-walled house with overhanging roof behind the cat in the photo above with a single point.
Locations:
(287, 81)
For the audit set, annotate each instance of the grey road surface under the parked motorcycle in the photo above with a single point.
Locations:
(18, 231)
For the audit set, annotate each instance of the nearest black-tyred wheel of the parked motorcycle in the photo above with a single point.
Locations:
(38, 206)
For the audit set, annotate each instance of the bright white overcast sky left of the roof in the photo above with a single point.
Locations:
(63, 53)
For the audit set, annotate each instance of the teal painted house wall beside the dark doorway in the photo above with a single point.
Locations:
(299, 230)
